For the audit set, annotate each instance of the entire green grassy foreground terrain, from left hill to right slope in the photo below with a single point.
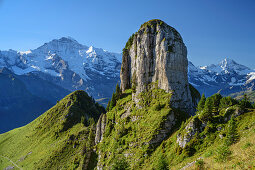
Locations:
(148, 134)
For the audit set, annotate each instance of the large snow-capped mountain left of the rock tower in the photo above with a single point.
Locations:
(69, 64)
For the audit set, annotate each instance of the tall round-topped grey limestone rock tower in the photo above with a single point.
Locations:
(156, 53)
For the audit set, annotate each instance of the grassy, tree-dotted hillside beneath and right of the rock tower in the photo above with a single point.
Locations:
(133, 137)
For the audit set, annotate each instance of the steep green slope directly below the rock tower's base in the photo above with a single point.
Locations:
(131, 129)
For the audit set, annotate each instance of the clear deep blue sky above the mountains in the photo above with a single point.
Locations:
(212, 30)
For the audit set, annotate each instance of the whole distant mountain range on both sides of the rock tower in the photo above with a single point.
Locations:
(42, 76)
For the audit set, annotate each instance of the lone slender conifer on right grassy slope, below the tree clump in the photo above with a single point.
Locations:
(232, 135)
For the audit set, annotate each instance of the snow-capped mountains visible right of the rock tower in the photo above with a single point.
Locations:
(226, 77)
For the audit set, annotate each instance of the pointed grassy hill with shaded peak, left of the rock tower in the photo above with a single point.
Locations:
(61, 138)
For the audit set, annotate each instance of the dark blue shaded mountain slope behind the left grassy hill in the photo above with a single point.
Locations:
(25, 97)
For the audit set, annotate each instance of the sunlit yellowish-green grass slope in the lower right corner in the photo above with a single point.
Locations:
(242, 153)
